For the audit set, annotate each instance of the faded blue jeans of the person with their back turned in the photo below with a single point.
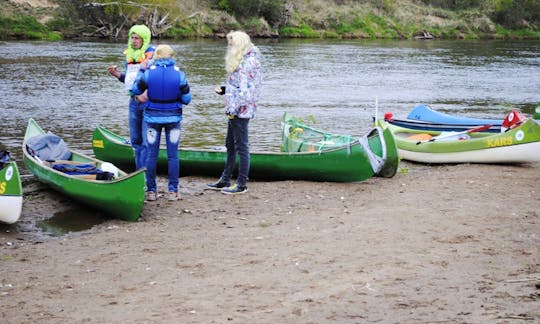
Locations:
(153, 137)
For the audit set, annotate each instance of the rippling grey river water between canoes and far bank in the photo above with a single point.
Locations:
(64, 85)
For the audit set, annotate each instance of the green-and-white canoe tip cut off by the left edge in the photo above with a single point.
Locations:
(11, 194)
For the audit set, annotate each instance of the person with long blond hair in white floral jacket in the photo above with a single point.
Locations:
(242, 91)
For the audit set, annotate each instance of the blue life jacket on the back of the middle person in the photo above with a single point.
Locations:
(163, 87)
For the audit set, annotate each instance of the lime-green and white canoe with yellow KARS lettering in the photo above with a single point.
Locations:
(521, 144)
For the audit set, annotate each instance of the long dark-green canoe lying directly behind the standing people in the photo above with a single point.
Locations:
(343, 164)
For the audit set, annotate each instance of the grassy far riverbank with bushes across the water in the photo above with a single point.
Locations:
(285, 18)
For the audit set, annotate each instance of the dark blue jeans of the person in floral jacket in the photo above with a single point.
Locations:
(236, 142)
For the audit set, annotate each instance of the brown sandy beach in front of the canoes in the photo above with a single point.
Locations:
(434, 244)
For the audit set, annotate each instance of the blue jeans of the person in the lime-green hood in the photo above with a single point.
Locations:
(136, 132)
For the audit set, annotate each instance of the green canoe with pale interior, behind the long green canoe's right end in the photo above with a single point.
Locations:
(379, 146)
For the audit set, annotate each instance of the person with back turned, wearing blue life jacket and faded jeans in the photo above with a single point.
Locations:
(167, 90)
